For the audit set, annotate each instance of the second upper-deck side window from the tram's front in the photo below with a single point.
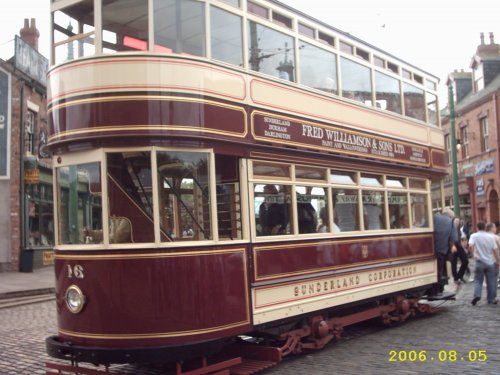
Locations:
(318, 68)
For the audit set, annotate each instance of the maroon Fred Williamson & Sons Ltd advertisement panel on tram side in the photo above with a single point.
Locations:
(267, 127)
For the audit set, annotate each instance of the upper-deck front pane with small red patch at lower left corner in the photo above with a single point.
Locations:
(180, 26)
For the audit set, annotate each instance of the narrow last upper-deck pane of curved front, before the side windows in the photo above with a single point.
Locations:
(226, 36)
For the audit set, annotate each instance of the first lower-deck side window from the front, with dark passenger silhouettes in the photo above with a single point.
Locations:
(273, 212)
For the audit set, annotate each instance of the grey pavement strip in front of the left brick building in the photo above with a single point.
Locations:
(20, 284)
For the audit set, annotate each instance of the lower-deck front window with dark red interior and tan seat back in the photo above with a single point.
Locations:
(130, 197)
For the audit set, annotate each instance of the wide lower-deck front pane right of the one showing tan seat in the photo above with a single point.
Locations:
(184, 193)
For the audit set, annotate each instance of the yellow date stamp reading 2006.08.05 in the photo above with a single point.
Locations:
(439, 356)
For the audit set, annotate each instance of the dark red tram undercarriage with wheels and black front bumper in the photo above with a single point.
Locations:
(246, 354)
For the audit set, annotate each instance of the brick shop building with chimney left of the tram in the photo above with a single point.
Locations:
(26, 233)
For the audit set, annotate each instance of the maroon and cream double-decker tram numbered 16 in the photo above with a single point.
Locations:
(229, 172)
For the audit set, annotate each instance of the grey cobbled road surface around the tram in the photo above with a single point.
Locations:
(470, 333)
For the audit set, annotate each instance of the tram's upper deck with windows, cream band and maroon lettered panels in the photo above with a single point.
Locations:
(216, 58)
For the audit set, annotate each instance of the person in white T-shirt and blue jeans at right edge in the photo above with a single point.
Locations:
(484, 247)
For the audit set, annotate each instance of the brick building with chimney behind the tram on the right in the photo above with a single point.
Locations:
(477, 125)
